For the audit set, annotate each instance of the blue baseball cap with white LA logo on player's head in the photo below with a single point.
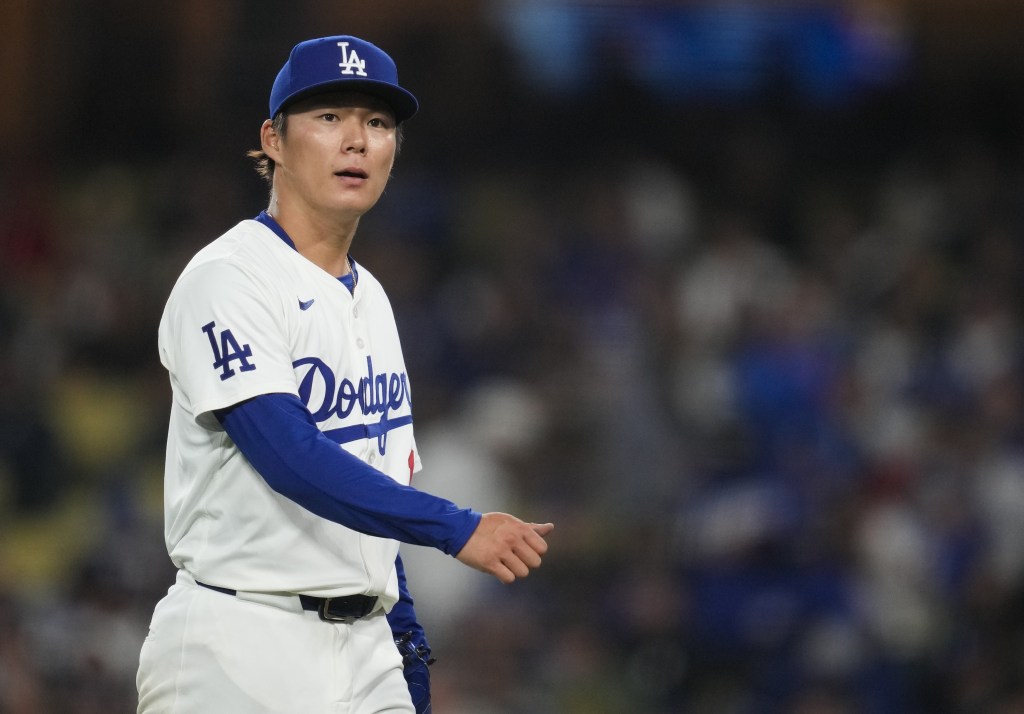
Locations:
(343, 62)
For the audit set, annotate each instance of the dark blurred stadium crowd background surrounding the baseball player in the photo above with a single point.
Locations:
(731, 291)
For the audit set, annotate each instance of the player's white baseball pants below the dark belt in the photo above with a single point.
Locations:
(208, 652)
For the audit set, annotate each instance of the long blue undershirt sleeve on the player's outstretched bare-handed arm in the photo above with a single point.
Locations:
(281, 440)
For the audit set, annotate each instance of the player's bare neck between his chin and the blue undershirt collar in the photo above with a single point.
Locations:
(323, 241)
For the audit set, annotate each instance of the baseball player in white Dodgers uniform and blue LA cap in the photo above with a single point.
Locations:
(290, 448)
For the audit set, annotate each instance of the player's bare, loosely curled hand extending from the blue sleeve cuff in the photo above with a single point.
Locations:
(505, 547)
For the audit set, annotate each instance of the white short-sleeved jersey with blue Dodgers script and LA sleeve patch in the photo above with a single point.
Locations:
(250, 316)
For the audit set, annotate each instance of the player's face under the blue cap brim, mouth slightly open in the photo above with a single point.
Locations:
(337, 153)
